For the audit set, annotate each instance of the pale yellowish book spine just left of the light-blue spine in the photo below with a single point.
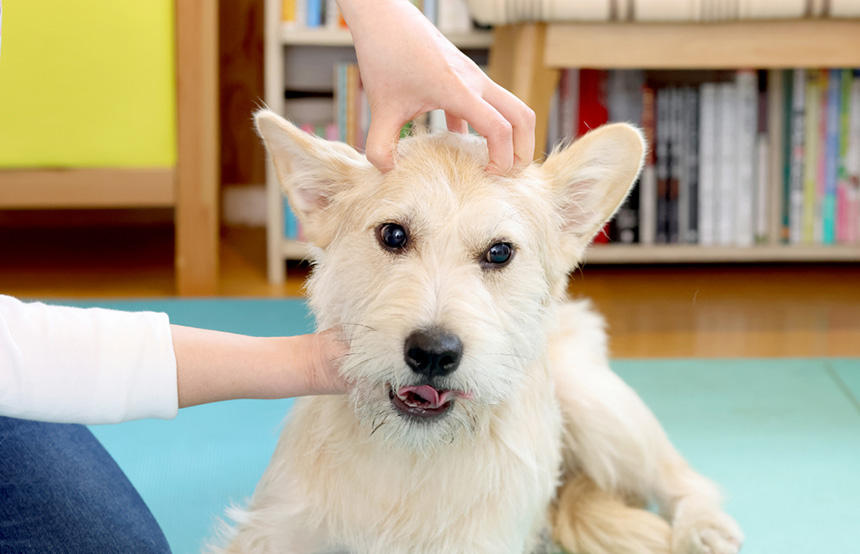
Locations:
(811, 154)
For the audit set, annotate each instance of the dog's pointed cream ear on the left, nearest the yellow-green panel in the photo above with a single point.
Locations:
(311, 170)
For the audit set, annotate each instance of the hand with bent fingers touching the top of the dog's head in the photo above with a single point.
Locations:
(409, 68)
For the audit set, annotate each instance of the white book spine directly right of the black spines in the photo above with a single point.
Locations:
(707, 134)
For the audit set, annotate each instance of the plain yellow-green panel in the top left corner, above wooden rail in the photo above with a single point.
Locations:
(87, 83)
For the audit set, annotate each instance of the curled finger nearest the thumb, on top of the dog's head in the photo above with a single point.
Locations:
(487, 121)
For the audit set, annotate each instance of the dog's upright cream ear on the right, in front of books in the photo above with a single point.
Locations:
(591, 178)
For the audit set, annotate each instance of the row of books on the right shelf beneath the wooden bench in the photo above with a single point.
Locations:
(736, 158)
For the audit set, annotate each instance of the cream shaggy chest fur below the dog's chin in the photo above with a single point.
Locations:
(485, 492)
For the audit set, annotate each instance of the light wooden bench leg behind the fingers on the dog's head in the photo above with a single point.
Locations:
(517, 63)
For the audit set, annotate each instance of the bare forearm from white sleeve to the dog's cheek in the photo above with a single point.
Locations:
(213, 366)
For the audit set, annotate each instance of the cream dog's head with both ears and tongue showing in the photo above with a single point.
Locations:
(441, 275)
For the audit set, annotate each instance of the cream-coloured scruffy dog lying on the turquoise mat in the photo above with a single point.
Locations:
(484, 417)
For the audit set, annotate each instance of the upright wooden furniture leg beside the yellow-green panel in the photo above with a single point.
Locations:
(197, 173)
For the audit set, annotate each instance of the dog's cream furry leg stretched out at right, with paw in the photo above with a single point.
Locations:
(615, 441)
